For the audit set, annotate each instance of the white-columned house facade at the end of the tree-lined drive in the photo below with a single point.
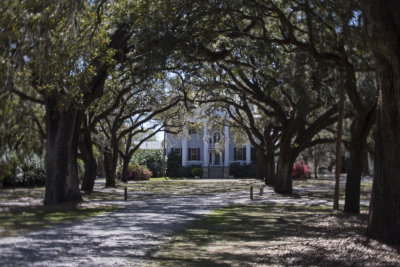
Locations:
(211, 147)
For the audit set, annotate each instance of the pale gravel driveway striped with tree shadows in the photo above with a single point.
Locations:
(121, 238)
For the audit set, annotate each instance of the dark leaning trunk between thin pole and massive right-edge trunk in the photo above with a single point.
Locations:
(360, 130)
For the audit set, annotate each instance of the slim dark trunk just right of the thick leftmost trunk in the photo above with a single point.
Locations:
(86, 149)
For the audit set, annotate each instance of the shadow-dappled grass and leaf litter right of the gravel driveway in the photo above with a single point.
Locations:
(273, 235)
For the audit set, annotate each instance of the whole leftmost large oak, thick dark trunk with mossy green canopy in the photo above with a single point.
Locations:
(60, 54)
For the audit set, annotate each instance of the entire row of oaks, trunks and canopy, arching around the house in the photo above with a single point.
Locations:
(87, 75)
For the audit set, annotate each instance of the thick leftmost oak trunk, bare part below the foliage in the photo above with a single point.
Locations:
(62, 183)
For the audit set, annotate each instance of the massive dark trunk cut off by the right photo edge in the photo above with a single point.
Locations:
(383, 24)
